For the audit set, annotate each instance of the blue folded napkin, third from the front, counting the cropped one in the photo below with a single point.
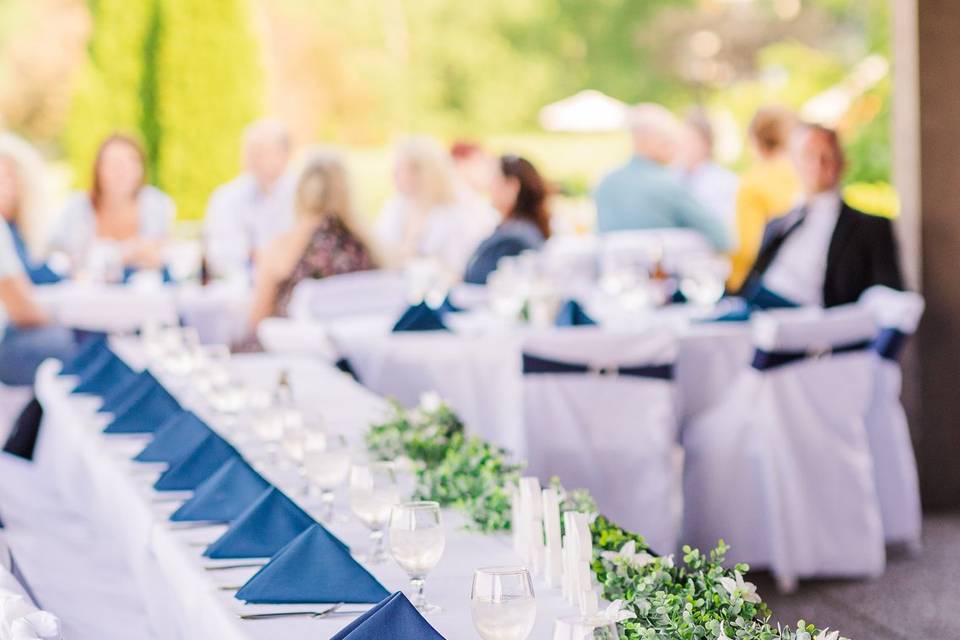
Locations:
(264, 528)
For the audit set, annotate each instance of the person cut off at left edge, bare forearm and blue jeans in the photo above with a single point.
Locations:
(30, 336)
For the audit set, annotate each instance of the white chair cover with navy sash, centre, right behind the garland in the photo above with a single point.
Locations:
(613, 434)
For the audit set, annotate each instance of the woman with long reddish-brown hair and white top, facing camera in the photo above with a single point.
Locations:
(120, 210)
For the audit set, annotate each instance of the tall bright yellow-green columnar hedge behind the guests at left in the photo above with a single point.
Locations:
(184, 75)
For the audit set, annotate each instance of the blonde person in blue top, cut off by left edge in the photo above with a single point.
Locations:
(21, 203)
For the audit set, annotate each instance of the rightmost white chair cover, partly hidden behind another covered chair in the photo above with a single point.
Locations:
(895, 467)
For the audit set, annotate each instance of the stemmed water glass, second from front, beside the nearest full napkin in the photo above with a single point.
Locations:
(416, 543)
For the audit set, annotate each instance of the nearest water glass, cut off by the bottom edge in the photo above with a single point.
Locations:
(502, 603)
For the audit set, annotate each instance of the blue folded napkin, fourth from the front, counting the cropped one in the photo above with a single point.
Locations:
(224, 495)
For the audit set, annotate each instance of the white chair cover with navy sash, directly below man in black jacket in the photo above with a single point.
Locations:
(781, 467)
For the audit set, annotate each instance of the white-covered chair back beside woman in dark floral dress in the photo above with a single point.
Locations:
(363, 292)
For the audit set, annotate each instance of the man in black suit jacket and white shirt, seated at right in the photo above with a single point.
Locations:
(824, 252)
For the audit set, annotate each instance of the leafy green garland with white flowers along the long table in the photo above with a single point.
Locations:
(696, 599)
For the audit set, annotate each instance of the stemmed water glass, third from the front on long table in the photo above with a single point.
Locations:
(373, 492)
